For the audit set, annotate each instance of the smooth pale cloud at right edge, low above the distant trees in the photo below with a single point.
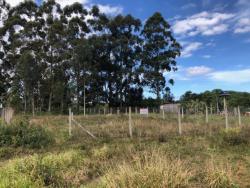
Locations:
(233, 77)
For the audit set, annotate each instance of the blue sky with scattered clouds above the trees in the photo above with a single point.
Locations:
(214, 34)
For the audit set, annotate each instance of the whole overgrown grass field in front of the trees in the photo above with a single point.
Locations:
(156, 156)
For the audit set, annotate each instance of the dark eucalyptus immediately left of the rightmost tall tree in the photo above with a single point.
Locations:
(124, 43)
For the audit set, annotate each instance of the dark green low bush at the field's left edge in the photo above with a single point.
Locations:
(25, 135)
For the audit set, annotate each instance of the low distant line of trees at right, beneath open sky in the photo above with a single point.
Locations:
(214, 100)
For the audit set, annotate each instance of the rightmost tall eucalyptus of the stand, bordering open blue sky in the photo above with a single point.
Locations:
(160, 50)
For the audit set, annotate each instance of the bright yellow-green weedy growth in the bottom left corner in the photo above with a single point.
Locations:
(39, 171)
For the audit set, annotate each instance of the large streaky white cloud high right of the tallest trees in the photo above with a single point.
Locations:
(204, 23)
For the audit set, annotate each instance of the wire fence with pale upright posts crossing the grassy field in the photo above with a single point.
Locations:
(180, 121)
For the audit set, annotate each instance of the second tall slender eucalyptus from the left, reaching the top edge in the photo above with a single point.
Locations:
(55, 50)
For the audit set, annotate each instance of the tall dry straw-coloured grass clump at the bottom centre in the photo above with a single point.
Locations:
(148, 170)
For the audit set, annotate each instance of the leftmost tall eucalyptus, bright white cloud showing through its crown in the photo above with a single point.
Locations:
(22, 28)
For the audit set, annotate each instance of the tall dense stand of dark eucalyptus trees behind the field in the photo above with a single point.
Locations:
(54, 57)
